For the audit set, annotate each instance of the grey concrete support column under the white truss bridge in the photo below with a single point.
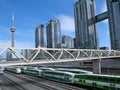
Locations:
(97, 66)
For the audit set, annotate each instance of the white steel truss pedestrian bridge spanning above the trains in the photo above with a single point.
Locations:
(27, 56)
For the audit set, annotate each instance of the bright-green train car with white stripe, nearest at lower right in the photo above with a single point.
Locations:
(105, 82)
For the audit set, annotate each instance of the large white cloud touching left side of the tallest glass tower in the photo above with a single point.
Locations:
(67, 25)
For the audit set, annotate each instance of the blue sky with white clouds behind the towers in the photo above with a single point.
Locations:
(31, 13)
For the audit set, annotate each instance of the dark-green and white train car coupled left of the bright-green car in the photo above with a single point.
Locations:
(65, 77)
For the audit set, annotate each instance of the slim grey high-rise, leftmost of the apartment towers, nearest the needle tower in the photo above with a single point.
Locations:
(39, 36)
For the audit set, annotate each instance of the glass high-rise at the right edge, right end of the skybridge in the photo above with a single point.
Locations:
(114, 23)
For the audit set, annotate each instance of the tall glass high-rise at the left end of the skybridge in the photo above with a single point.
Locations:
(86, 35)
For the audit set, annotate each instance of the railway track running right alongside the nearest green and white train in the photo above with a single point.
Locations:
(50, 85)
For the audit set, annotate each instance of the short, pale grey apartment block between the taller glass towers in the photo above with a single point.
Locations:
(68, 42)
